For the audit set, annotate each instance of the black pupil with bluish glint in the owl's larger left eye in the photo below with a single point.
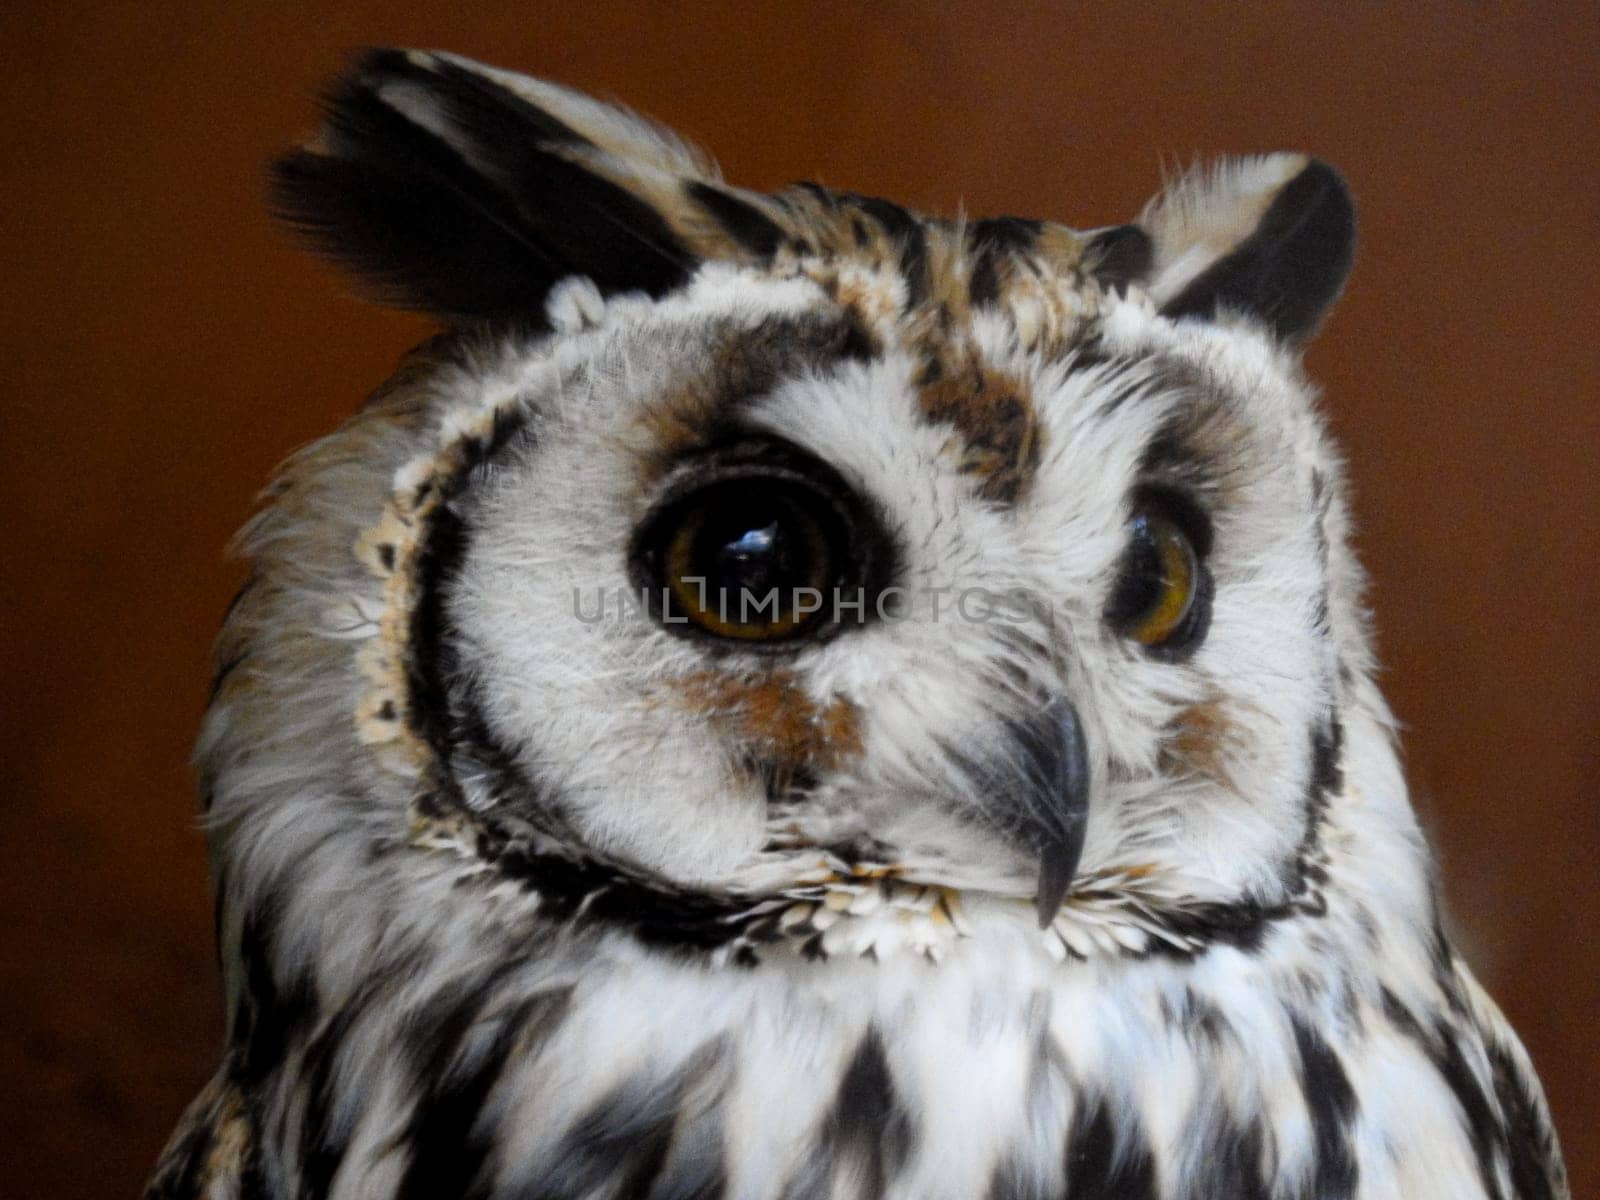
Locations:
(753, 546)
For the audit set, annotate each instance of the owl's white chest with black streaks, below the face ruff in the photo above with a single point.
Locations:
(996, 1073)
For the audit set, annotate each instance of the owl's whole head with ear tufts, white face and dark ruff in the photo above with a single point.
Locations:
(734, 546)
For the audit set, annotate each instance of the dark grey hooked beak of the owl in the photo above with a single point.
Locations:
(1050, 793)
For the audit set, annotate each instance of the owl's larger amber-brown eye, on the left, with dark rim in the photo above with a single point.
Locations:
(756, 554)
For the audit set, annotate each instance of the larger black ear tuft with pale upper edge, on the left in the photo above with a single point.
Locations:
(468, 193)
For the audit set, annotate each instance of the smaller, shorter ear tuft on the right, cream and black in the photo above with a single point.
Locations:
(1268, 238)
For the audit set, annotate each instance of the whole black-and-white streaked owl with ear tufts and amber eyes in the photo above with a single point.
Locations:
(785, 698)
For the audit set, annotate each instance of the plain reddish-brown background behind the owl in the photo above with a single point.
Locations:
(164, 348)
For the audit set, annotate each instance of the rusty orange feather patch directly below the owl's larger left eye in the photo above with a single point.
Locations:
(774, 719)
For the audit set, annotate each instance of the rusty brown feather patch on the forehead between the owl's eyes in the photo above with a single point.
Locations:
(993, 412)
